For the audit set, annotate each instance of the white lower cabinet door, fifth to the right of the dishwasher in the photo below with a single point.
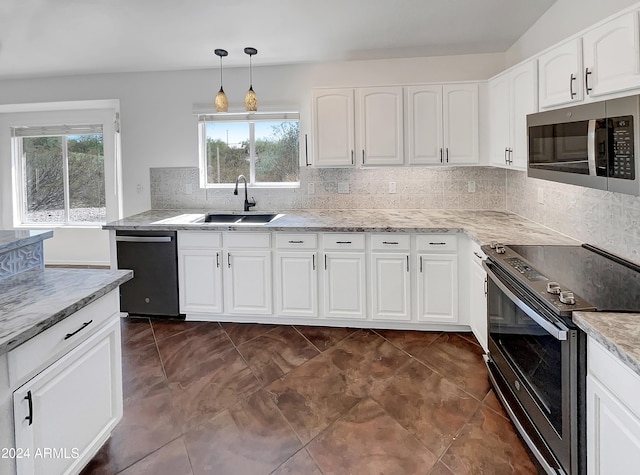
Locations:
(390, 284)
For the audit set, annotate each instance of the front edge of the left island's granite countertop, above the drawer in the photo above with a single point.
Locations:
(37, 328)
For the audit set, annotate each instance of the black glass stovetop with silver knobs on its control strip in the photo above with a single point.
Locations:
(597, 280)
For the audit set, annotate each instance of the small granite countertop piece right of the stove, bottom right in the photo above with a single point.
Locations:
(617, 332)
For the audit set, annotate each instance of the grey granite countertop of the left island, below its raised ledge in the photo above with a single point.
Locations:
(34, 300)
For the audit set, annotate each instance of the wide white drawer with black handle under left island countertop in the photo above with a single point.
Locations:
(43, 349)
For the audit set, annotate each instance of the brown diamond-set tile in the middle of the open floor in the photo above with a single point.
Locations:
(313, 396)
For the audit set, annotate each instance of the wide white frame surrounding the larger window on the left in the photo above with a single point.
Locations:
(108, 118)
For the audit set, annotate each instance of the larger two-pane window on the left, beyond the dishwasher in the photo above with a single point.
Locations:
(61, 174)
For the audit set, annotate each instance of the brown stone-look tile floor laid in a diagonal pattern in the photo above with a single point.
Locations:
(244, 399)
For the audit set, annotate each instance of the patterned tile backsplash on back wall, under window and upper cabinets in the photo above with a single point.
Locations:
(424, 188)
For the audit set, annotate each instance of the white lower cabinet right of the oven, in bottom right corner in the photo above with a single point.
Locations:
(613, 414)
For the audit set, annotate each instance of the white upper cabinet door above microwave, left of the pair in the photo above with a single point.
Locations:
(560, 75)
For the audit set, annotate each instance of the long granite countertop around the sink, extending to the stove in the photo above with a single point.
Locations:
(482, 226)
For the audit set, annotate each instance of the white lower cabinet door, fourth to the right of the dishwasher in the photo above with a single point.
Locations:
(345, 285)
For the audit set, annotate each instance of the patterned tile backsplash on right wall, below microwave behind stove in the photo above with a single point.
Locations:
(602, 218)
